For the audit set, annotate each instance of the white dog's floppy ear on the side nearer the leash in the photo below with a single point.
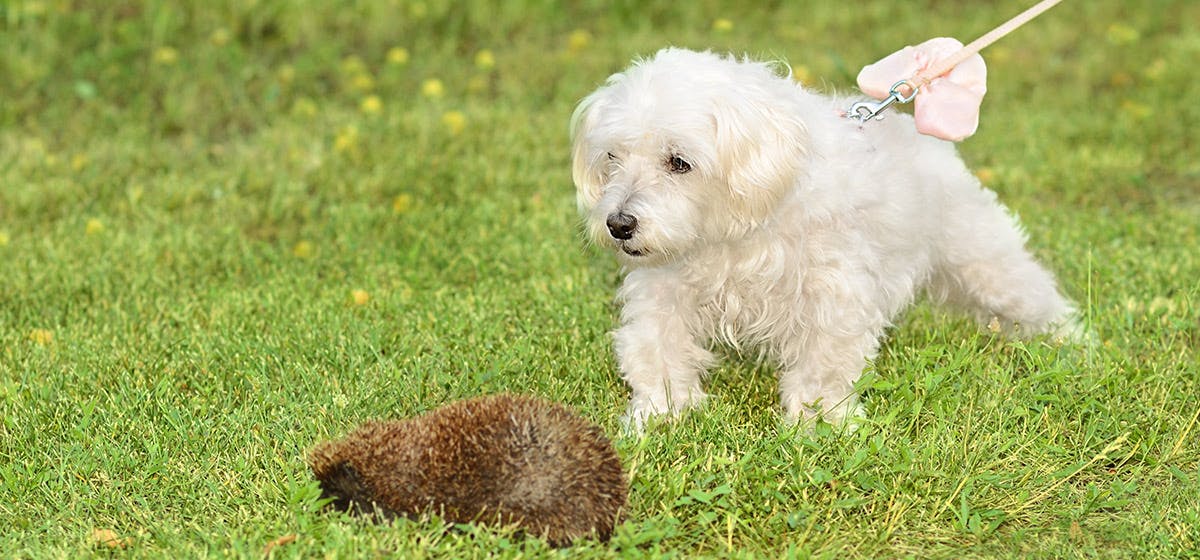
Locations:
(763, 146)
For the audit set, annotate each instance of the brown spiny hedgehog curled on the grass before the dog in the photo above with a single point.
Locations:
(506, 460)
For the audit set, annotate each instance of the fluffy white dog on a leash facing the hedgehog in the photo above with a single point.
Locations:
(748, 212)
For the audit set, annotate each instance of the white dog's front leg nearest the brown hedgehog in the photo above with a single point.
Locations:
(659, 351)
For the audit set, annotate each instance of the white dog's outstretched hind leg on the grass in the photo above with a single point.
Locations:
(985, 267)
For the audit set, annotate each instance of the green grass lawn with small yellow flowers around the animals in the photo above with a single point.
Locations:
(191, 192)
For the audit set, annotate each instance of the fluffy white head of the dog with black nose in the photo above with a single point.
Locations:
(685, 149)
